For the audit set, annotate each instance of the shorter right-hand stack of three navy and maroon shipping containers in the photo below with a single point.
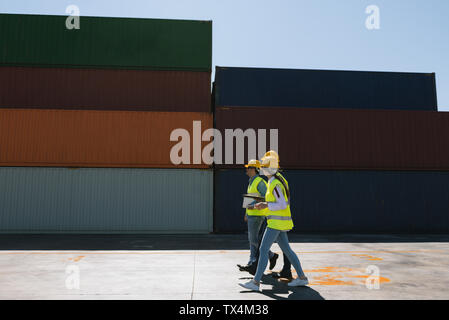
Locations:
(362, 151)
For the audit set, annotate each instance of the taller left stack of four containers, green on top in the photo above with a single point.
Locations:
(103, 99)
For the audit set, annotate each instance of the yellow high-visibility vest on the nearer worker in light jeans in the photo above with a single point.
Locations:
(280, 219)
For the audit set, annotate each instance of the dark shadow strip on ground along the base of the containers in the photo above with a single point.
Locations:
(181, 242)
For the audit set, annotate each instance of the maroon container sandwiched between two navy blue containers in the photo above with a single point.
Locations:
(348, 139)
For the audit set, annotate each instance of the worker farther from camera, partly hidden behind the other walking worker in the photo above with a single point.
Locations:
(254, 217)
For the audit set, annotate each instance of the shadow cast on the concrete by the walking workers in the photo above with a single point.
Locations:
(279, 287)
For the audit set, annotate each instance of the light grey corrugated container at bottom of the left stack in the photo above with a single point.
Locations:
(105, 200)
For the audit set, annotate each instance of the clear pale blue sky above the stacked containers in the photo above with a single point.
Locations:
(312, 34)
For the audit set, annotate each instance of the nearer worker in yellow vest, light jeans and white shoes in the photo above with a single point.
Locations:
(279, 222)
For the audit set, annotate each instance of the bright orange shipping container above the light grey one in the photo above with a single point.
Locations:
(88, 138)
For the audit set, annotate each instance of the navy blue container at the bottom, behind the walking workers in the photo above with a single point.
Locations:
(347, 201)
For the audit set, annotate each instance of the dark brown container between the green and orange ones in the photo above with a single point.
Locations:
(104, 89)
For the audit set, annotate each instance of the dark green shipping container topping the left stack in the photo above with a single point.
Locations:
(123, 43)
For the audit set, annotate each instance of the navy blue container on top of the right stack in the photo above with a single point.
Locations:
(325, 89)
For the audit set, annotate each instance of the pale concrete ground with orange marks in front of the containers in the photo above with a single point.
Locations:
(204, 267)
